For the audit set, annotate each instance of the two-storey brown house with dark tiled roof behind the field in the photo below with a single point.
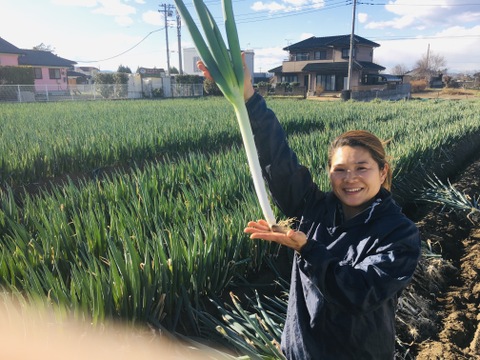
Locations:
(324, 61)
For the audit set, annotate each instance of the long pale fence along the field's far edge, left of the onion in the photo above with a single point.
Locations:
(32, 93)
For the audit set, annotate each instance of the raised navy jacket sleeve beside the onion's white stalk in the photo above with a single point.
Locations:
(289, 182)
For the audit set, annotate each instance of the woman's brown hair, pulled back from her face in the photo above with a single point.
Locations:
(367, 141)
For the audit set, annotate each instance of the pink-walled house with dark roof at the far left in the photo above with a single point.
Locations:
(50, 70)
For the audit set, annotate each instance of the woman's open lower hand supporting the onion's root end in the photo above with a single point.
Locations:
(261, 230)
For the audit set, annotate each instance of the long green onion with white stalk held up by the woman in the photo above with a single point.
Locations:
(226, 68)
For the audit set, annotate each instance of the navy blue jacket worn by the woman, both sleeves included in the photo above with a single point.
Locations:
(347, 278)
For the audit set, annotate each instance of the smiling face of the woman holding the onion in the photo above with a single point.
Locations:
(356, 178)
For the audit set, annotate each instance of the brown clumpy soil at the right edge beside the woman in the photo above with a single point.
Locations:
(446, 323)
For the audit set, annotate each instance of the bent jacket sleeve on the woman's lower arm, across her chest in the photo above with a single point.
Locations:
(361, 286)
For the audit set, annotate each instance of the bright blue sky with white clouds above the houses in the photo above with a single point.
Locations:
(108, 33)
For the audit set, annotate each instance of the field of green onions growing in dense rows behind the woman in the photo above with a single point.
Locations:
(135, 210)
